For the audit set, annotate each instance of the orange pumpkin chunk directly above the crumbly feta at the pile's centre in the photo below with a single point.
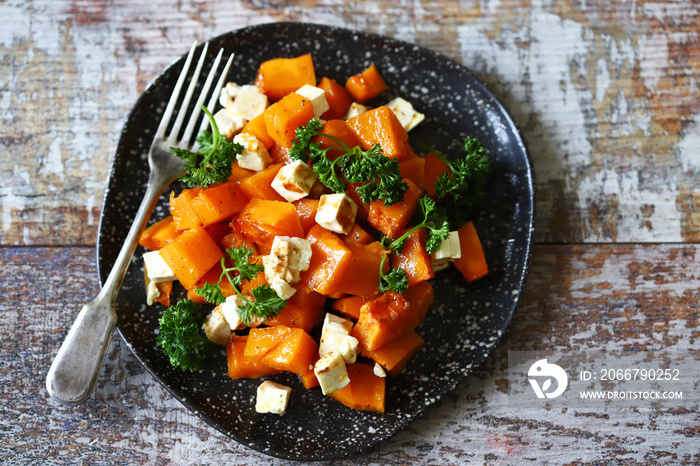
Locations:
(261, 220)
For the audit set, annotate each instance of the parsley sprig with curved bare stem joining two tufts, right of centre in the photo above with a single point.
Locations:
(436, 222)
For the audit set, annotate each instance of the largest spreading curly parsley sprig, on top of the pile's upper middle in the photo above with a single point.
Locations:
(377, 176)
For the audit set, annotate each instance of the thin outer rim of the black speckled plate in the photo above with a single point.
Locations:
(528, 178)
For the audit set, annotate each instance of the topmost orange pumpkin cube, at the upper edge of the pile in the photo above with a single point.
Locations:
(280, 76)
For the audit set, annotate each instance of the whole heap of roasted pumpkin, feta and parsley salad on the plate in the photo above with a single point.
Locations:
(305, 209)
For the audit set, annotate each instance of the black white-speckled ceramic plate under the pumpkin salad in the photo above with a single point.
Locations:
(466, 321)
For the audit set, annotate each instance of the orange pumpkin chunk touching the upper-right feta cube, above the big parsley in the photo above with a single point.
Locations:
(380, 126)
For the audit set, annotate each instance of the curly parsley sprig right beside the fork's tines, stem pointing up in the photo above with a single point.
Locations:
(212, 163)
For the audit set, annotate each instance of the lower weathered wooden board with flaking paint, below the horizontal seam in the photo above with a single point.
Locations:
(598, 296)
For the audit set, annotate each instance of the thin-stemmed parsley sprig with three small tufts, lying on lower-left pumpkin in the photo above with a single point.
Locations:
(265, 302)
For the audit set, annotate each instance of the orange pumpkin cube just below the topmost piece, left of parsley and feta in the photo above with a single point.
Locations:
(283, 117)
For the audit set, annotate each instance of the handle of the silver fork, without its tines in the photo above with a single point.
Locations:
(73, 373)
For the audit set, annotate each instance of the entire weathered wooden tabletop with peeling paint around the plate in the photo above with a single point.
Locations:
(606, 96)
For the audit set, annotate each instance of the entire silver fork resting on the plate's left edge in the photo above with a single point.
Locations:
(74, 371)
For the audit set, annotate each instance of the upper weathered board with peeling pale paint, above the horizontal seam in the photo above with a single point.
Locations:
(604, 92)
